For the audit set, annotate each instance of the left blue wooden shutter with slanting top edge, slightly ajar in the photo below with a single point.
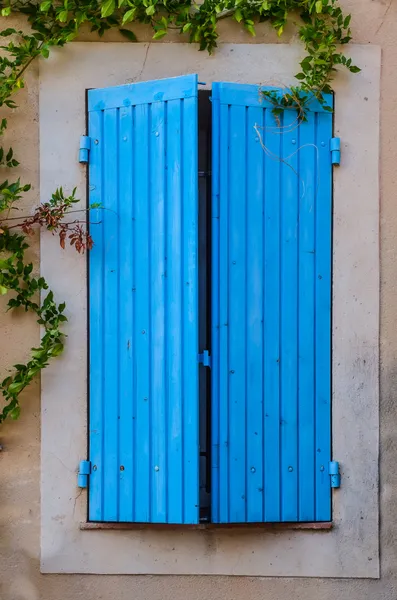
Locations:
(143, 417)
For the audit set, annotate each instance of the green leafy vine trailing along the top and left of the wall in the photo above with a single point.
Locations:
(322, 28)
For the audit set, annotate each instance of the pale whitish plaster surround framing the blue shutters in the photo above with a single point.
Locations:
(351, 547)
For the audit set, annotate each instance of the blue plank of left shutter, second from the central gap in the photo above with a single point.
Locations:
(173, 279)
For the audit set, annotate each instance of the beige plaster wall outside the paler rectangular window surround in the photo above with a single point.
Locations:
(374, 21)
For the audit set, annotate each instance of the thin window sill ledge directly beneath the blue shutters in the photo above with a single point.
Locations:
(323, 526)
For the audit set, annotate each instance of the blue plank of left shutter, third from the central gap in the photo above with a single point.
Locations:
(157, 330)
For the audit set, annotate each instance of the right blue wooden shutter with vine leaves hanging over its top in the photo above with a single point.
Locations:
(271, 310)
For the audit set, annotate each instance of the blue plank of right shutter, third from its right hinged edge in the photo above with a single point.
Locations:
(289, 317)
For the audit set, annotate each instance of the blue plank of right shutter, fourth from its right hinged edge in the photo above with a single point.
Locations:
(271, 325)
